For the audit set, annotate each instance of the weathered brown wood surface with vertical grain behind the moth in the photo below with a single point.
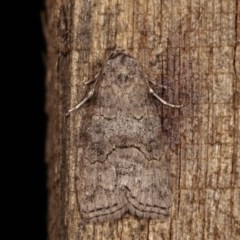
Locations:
(196, 44)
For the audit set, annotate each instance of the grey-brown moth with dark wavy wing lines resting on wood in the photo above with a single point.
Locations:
(120, 167)
